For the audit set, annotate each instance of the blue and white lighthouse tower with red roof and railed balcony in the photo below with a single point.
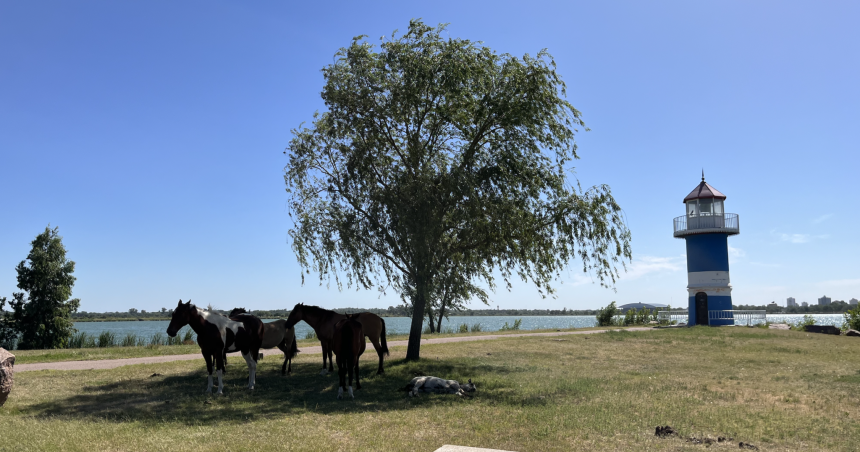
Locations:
(706, 228)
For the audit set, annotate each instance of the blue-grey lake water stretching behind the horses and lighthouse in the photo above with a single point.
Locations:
(400, 325)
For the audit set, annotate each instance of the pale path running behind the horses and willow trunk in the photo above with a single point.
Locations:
(114, 363)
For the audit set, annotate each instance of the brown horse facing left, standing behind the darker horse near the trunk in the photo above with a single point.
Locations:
(323, 322)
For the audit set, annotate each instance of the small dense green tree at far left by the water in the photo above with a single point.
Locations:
(42, 311)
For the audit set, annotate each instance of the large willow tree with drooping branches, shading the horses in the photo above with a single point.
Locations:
(432, 150)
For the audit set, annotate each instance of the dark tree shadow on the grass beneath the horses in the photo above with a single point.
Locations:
(181, 398)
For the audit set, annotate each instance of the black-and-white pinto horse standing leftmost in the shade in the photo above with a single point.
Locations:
(218, 335)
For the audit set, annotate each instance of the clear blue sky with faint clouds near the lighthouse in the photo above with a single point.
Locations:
(152, 134)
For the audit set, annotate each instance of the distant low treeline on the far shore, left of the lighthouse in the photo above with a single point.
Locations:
(391, 311)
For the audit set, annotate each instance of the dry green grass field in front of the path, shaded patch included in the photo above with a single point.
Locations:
(779, 390)
